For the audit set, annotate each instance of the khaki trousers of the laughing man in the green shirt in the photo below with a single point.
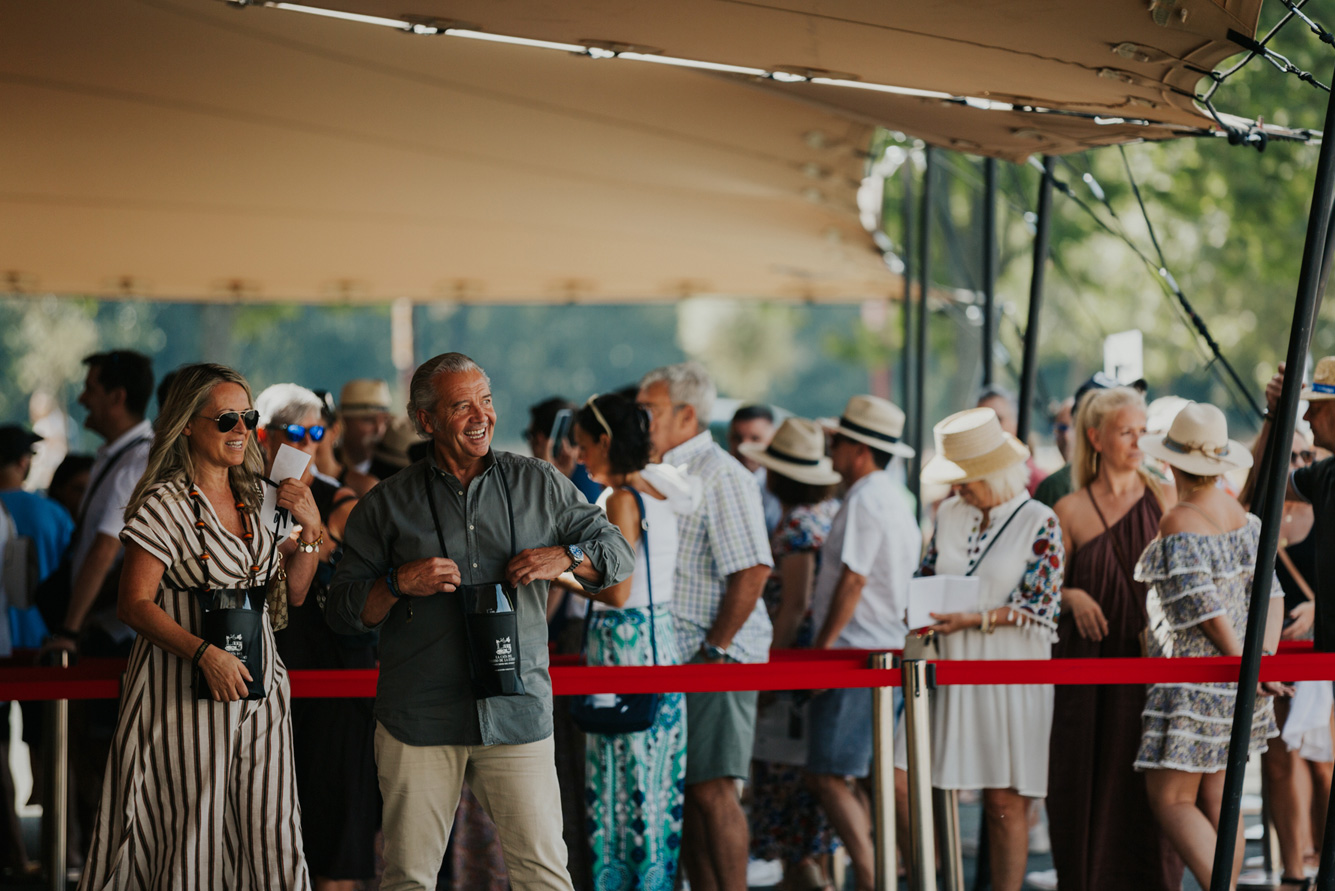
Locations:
(516, 785)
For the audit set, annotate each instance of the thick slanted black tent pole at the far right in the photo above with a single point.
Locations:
(1272, 514)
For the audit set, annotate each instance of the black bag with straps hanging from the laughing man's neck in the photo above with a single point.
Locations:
(491, 620)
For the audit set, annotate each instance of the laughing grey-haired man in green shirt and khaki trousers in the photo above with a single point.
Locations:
(468, 520)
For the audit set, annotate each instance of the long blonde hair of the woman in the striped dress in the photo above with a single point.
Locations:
(170, 459)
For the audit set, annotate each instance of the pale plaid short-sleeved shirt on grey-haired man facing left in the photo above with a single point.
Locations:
(726, 535)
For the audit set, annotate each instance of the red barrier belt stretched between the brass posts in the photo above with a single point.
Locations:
(787, 670)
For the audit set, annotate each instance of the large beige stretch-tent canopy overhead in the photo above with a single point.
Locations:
(194, 150)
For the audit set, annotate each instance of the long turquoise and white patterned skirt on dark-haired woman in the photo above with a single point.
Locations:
(636, 782)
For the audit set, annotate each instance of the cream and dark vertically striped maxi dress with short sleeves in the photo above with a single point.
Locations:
(197, 794)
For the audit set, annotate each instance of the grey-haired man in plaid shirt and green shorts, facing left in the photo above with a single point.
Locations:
(723, 563)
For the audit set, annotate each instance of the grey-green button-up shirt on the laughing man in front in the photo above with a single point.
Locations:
(425, 697)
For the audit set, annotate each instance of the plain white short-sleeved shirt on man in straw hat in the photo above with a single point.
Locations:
(874, 535)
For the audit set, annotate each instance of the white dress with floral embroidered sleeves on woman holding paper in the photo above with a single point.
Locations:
(997, 737)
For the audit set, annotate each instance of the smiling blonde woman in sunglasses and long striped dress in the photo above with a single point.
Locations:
(201, 793)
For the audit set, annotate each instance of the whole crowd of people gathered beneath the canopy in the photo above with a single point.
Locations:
(407, 542)
